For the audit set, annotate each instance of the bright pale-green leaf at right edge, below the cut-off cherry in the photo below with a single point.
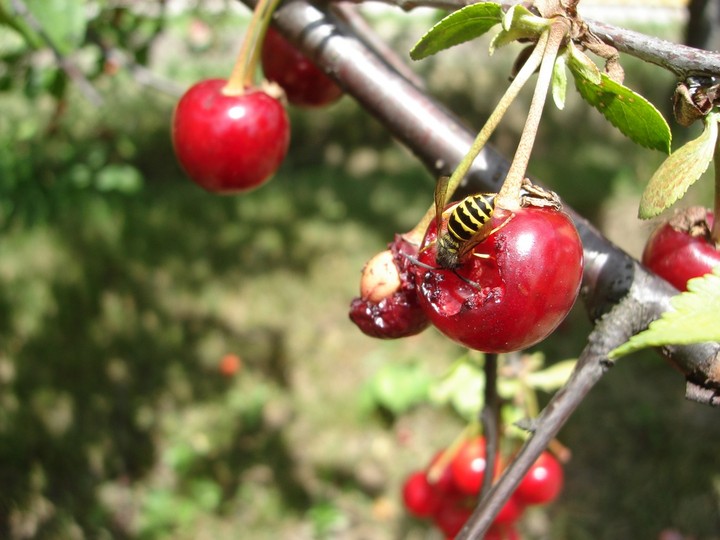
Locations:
(694, 318)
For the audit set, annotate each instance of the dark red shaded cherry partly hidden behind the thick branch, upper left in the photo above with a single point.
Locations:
(304, 83)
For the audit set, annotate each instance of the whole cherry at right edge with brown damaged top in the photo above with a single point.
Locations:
(681, 249)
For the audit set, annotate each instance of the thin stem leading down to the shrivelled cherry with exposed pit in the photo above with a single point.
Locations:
(522, 77)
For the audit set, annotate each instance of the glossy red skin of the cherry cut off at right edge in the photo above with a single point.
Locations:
(677, 256)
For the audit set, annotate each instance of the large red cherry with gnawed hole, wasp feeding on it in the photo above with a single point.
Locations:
(522, 288)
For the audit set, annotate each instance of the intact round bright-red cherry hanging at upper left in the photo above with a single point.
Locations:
(229, 144)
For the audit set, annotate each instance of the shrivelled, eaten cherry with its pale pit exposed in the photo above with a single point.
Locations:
(388, 307)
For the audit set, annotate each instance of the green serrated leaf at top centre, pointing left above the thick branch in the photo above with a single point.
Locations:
(460, 26)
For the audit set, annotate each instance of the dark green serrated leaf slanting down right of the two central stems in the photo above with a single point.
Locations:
(631, 113)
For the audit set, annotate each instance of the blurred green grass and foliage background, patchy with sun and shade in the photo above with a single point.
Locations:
(122, 286)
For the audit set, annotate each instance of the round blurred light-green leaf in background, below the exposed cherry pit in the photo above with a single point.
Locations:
(398, 387)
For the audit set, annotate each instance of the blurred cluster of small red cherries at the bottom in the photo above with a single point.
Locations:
(447, 491)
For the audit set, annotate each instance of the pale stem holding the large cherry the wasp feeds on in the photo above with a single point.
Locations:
(509, 194)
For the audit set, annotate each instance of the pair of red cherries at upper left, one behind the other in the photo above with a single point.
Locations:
(232, 136)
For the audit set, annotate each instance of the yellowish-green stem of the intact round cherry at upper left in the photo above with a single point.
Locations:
(243, 72)
